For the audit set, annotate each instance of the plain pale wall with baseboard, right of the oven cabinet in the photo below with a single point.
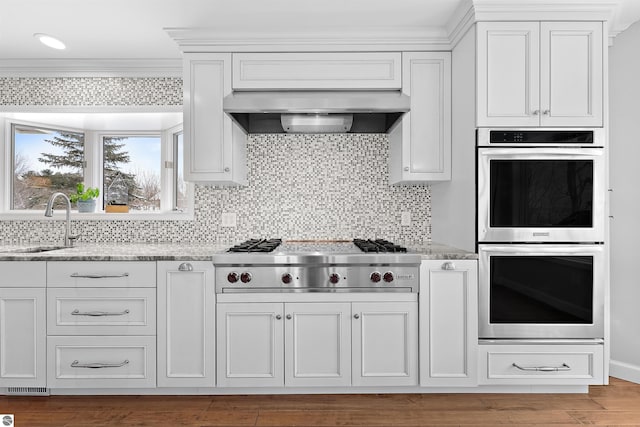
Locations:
(624, 78)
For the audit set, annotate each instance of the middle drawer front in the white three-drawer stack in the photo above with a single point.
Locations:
(109, 311)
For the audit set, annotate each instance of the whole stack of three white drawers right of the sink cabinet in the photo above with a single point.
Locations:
(101, 324)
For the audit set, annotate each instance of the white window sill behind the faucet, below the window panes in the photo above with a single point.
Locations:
(99, 216)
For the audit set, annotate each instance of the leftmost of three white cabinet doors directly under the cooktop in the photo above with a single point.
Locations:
(250, 345)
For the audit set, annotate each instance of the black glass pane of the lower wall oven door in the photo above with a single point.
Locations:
(541, 289)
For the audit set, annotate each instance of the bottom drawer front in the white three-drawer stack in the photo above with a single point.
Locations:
(101, 362)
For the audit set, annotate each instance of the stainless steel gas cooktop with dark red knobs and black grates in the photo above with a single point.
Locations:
(273, 265)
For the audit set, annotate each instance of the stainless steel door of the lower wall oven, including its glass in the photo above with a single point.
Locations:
(541, 291)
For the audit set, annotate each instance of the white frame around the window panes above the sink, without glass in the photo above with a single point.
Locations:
(92, 173)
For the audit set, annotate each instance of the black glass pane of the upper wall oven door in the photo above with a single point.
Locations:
(541, 193)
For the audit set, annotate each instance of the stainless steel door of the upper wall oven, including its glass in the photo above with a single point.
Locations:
(540, 194)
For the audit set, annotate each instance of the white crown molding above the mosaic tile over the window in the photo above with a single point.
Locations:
(90, 67)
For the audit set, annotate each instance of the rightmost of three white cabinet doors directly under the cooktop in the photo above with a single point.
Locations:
(385, 344)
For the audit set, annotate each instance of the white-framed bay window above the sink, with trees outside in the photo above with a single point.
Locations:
(54, 155)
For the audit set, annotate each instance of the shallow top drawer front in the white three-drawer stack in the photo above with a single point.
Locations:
(101, 274)
